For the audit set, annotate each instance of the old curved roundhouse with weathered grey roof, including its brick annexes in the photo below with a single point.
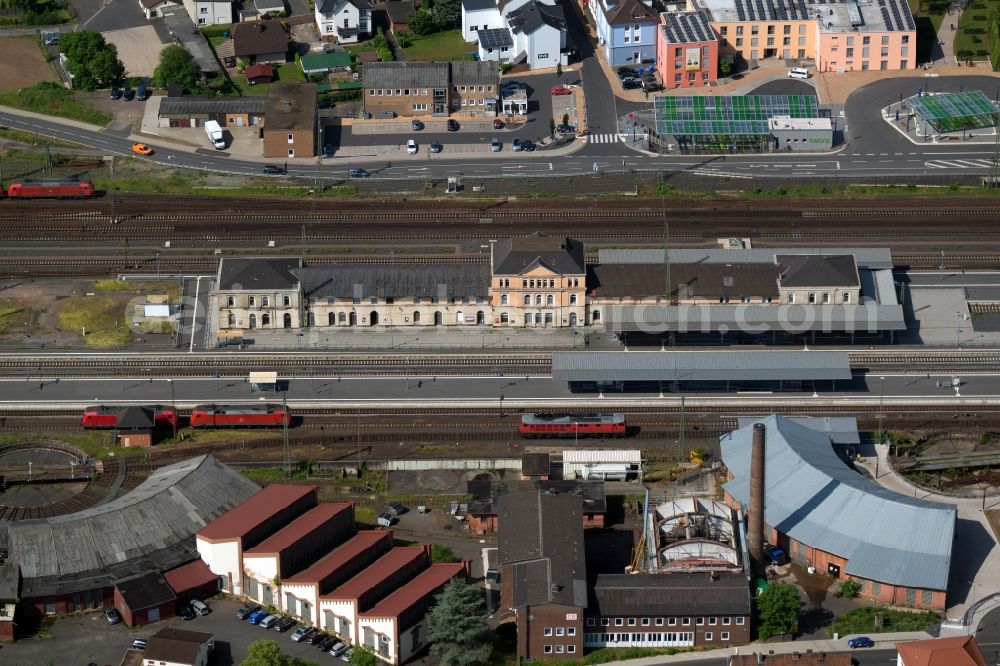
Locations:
(98, 558)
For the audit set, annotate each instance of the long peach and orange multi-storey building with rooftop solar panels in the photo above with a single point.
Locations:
(849, 36)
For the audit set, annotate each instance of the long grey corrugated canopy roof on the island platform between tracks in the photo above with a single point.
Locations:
(699, 366)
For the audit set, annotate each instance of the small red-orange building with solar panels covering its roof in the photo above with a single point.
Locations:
(687, 50)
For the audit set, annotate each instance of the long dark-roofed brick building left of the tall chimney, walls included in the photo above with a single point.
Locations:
(543, 572)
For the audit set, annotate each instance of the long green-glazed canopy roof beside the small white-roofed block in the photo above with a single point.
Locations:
(739, 115)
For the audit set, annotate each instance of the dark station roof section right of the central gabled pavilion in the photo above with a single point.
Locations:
(711, 282)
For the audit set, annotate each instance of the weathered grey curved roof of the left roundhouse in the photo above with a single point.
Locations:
(97, 546)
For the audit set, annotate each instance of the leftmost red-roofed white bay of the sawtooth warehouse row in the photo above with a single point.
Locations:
(222, 542)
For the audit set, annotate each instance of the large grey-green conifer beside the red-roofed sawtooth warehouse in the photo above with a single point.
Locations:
(456, 625)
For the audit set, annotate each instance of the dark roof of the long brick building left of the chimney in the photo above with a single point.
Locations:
(541, 538)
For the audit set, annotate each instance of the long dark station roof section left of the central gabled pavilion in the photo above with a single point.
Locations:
(396, 281)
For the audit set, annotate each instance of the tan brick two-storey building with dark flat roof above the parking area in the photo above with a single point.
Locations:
(405, 88)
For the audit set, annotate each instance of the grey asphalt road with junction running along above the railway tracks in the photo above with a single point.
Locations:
(874, 148)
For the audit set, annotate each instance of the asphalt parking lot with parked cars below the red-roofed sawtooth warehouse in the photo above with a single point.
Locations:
(85, 638)
